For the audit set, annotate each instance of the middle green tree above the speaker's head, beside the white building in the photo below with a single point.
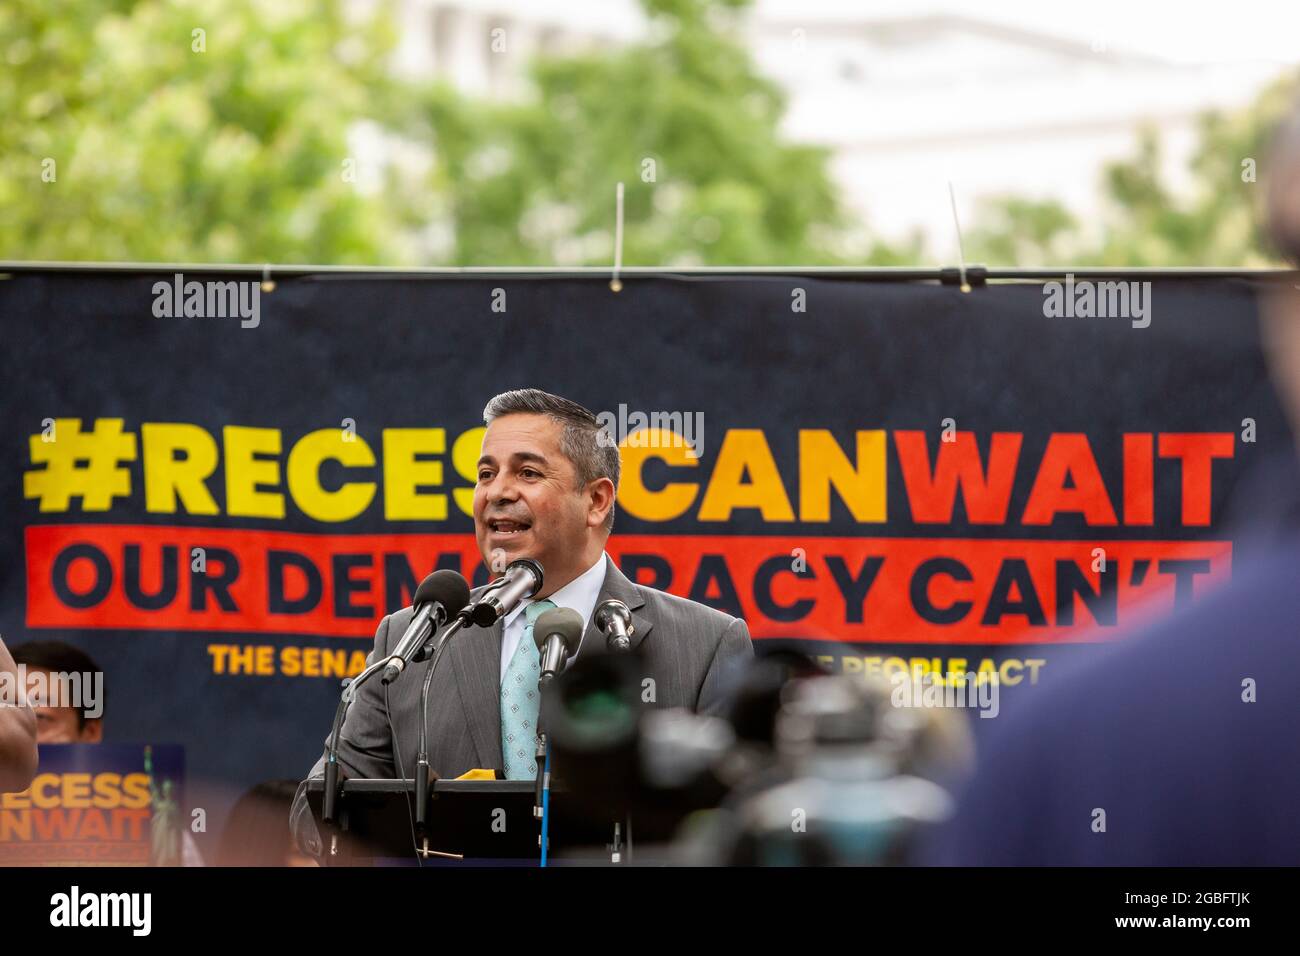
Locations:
(683, 120)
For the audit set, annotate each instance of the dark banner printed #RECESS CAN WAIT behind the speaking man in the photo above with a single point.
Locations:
(218, 490)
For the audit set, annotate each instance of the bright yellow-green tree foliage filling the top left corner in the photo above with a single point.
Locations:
(168, 145)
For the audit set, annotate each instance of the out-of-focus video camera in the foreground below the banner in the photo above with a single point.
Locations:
(807, 769)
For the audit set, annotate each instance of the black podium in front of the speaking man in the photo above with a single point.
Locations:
(466, 821)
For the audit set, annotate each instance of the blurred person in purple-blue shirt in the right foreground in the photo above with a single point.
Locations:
(1178, 746)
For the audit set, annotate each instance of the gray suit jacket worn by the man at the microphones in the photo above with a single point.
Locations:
(692, 652)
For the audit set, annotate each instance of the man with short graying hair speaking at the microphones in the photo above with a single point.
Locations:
(545, 491)
